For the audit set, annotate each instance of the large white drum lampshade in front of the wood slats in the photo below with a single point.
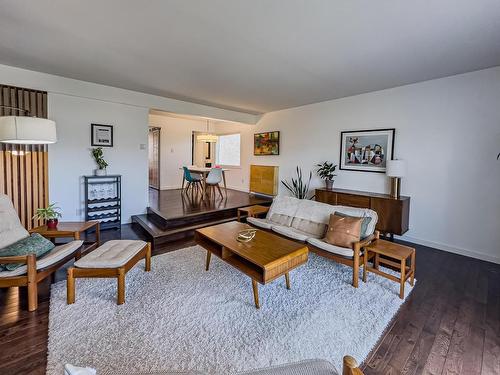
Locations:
(26, 130)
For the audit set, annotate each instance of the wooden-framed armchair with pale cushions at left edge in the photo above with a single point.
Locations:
(32, 270)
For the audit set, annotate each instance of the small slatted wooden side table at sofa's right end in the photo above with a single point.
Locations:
(398, 255)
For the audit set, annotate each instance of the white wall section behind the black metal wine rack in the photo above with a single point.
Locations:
(70, 158)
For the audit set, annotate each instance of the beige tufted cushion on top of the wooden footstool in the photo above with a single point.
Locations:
(113, 254)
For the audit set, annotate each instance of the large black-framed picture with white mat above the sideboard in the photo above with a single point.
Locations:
(366, 150)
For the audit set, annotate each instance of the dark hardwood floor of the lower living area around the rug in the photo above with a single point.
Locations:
(449, 325)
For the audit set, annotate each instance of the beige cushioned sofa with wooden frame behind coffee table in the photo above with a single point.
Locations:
(307, 221)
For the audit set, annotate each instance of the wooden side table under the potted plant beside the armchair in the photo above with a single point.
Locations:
(71, 229)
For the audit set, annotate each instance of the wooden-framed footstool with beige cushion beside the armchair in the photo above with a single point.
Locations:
(113, 259)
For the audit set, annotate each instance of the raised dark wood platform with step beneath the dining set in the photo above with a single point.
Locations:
(173, 215)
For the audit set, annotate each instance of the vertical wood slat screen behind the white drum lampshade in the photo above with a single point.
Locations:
(24, 168)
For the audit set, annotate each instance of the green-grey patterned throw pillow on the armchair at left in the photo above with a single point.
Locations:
(34, 244)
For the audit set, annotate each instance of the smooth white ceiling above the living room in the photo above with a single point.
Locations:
(251, 55)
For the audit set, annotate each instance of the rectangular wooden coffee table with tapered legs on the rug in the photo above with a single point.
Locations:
(265, 258)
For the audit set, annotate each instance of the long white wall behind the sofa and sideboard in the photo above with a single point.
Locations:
(448, 131)
